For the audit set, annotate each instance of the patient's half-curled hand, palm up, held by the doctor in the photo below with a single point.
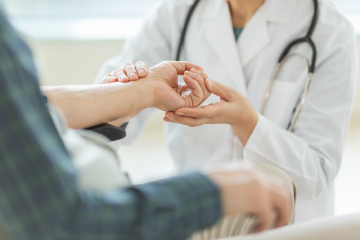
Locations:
(169, 95)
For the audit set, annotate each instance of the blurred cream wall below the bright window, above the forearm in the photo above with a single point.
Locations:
(72, 62)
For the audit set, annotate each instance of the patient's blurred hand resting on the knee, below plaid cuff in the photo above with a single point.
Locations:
(245, 190)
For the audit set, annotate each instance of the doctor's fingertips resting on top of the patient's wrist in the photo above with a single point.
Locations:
(129, 72)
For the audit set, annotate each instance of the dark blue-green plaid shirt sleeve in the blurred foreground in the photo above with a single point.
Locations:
(38, 194)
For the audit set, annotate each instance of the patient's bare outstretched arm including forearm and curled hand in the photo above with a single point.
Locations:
(89, 105)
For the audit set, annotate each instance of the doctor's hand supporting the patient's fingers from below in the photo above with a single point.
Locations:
(233, 109)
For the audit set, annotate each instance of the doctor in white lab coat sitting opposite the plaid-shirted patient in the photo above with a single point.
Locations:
(311, 153)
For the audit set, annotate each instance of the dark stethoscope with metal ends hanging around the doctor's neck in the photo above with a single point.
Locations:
(284, 57)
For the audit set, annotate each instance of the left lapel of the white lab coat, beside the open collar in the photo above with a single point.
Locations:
(219, 33)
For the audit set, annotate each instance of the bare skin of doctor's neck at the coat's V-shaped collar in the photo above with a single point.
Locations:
(243, 10)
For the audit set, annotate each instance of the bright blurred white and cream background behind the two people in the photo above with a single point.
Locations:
(70, 40)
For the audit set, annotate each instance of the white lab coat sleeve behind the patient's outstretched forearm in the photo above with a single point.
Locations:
(152, 46)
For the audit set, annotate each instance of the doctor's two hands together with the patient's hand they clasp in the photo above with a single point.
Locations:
(181, 101)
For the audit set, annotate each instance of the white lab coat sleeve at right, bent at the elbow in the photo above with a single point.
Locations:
(311, 155)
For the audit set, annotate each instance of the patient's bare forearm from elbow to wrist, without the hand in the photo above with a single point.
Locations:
(89, 105)
